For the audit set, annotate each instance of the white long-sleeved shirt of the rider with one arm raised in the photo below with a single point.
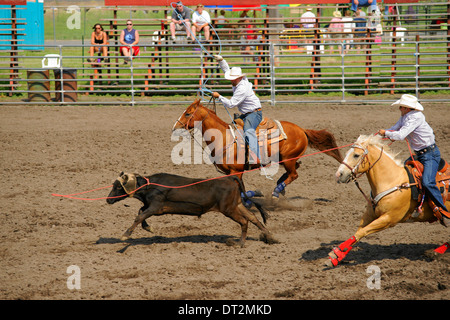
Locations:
(244, 98)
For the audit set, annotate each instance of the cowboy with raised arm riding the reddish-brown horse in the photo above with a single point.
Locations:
(245, 99)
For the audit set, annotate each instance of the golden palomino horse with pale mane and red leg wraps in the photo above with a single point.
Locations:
(389, 182)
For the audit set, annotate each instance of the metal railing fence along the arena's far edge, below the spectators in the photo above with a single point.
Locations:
(282, 72)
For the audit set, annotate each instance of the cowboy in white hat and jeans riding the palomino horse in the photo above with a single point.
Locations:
(413, 127)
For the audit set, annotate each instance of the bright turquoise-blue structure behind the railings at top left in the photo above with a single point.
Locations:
(33, 15)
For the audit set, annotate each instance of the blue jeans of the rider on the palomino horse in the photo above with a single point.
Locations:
(430, 161)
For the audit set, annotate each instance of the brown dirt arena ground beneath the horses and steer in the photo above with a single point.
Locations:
(65, 150)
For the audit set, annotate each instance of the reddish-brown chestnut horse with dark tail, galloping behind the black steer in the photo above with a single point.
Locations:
(289, 149)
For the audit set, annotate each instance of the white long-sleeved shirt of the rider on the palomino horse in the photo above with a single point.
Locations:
(412, 126)
